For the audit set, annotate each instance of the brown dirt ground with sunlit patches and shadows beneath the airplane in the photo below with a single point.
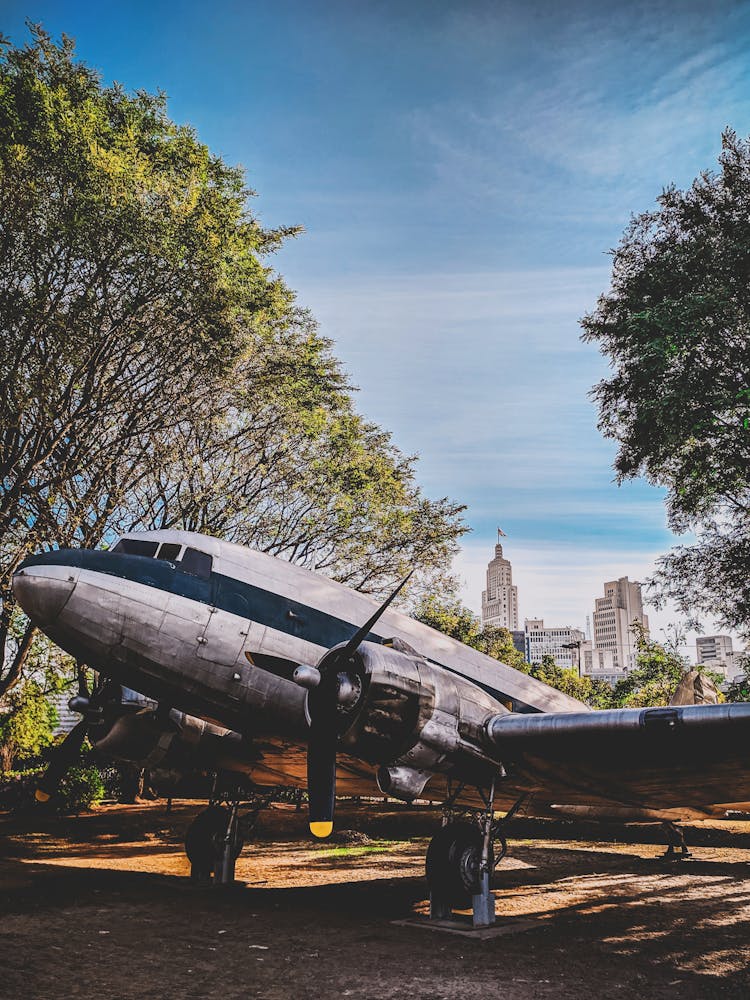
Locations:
(100, 906)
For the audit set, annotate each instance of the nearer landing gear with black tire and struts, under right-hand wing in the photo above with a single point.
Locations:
(460, 863)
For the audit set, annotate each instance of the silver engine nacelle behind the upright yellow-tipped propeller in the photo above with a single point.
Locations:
(411, 717)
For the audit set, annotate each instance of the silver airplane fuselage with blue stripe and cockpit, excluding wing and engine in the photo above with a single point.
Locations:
(216, 630)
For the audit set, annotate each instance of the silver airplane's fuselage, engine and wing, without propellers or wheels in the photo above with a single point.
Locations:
(216, 631)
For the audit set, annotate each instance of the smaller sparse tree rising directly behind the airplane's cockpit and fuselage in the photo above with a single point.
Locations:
(279, 460)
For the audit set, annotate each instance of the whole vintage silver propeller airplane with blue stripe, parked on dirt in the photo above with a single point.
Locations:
(250, 665)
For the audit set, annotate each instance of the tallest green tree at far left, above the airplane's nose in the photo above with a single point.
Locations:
(131, 272)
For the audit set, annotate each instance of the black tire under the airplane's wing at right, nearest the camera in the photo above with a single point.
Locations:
(453, 861)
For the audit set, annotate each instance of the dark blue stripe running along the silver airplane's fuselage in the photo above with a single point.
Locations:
(232, 595)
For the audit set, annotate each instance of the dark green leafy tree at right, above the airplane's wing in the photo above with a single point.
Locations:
(675, 328)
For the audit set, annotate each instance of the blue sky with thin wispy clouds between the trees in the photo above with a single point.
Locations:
(461, 171)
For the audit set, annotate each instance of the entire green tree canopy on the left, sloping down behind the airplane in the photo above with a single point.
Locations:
(155, 371)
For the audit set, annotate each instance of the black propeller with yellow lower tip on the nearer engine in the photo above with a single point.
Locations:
(334, 689)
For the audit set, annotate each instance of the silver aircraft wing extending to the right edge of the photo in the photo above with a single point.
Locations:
(691, 760)
